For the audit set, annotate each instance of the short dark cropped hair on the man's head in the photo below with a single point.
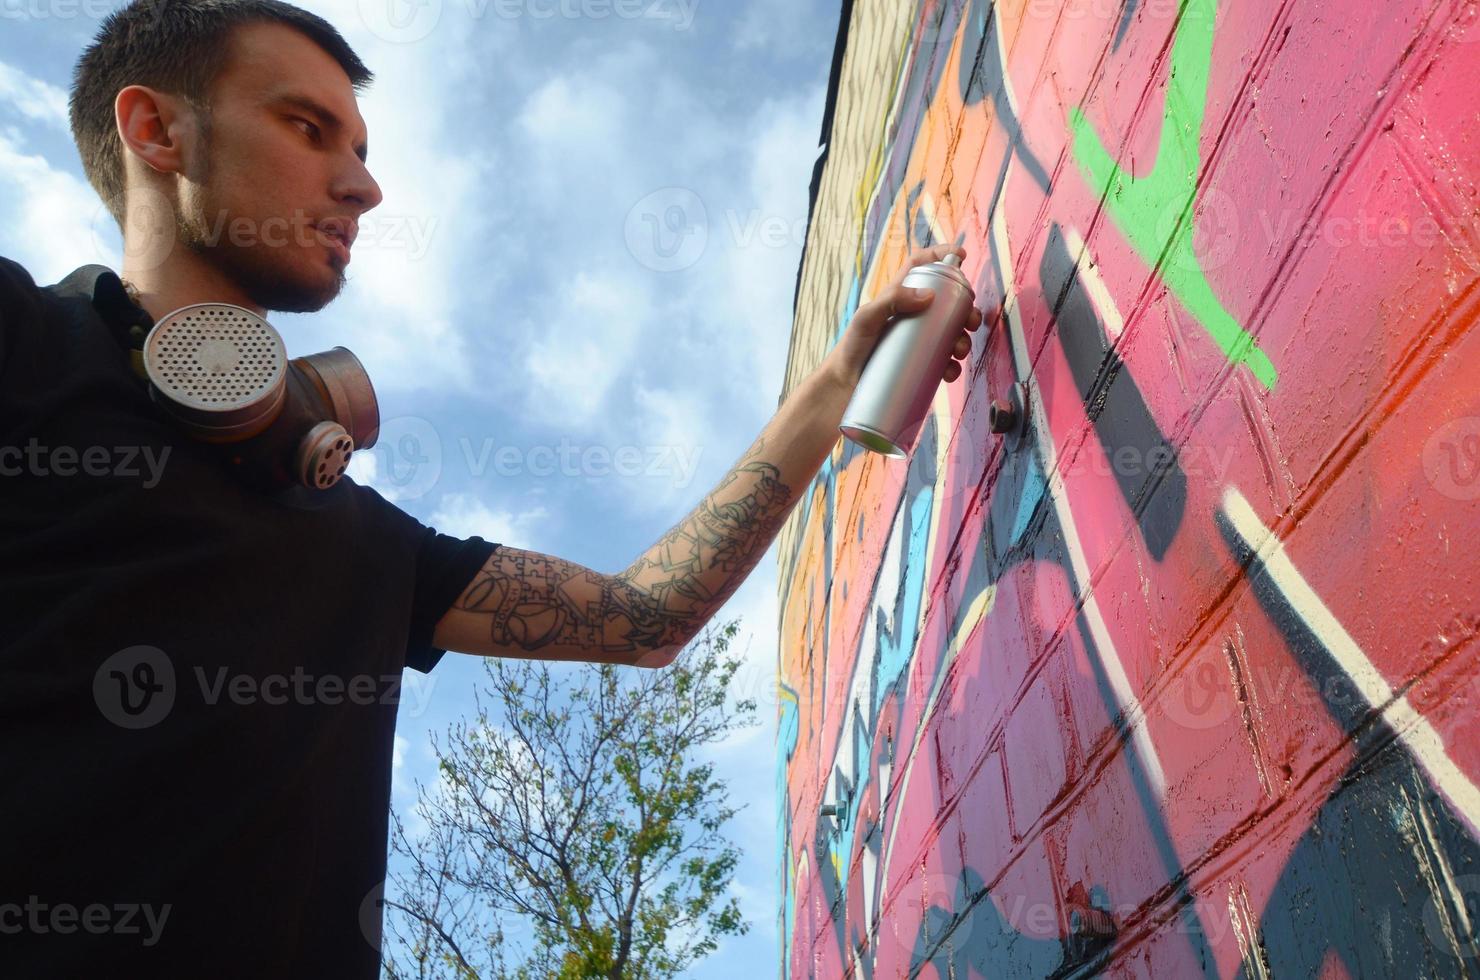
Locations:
(175, 47)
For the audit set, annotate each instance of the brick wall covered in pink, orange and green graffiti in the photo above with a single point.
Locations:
(1180, 677)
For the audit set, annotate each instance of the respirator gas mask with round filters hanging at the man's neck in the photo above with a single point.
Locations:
(223, 372)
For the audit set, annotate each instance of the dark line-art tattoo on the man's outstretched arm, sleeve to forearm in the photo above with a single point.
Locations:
(662, 600)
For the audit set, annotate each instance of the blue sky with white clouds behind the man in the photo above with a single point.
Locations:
(575, 301)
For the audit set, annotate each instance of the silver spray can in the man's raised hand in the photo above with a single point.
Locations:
(901, 380)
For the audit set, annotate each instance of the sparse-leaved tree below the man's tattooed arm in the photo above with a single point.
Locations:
(581, 821)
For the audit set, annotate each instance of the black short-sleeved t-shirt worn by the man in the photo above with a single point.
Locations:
(199, 682)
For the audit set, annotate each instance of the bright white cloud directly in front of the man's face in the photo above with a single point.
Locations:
(402, 310)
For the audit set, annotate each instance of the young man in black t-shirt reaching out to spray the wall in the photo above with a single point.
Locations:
(199, 680)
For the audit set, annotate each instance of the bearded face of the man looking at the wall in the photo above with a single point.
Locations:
(277, 205)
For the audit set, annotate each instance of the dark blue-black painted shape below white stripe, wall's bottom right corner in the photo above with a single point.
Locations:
(1364, 882)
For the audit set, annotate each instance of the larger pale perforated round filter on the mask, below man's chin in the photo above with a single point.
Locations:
(220, 369)
